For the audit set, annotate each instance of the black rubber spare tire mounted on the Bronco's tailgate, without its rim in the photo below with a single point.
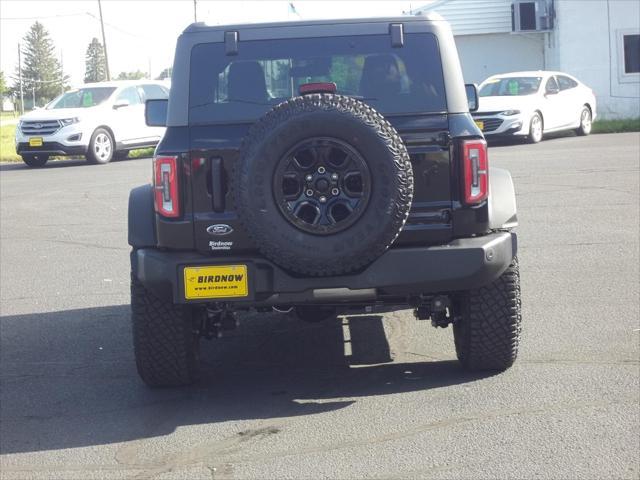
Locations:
(345, 119)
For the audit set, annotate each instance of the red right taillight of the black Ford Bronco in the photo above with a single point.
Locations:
(475, 167)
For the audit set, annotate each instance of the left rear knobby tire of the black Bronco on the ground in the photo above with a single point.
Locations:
(165, 344)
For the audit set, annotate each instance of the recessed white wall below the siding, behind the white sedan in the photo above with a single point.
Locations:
(484, 55)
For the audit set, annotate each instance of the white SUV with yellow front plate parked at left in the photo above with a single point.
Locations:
(101, 121)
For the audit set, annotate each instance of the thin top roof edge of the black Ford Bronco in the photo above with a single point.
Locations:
(203, 27)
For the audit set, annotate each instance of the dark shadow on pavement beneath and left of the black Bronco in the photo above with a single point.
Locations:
(68, 378)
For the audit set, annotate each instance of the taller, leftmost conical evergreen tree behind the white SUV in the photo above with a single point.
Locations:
(40, 67)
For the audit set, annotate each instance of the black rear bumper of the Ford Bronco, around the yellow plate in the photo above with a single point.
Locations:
(400, 272)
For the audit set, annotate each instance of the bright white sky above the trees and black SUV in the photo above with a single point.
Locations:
(141, 34)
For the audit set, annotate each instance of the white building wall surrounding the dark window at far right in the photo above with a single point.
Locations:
(584, 43)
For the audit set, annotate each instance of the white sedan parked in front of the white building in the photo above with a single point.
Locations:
(530, 104)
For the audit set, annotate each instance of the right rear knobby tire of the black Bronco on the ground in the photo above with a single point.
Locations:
(487, 332)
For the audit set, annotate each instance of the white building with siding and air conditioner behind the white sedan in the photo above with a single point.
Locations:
(597, 41)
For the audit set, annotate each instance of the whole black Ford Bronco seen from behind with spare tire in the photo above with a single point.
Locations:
(320, 167)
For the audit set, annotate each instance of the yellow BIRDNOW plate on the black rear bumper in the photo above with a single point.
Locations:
(220, 281)
